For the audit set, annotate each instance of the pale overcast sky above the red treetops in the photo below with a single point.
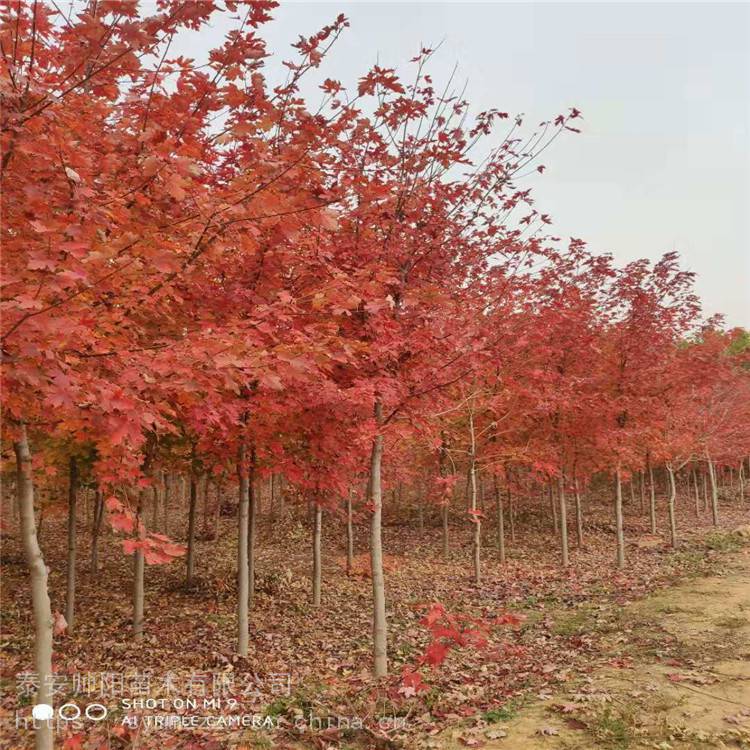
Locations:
(663, 162)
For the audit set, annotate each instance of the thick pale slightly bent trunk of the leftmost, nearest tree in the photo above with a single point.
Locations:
(40, 603)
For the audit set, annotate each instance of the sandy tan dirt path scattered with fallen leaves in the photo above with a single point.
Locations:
(678, 677)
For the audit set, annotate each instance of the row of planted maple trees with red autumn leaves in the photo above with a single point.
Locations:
(202, 273)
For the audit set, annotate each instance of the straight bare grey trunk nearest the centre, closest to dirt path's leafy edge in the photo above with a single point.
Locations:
(379, 625)
